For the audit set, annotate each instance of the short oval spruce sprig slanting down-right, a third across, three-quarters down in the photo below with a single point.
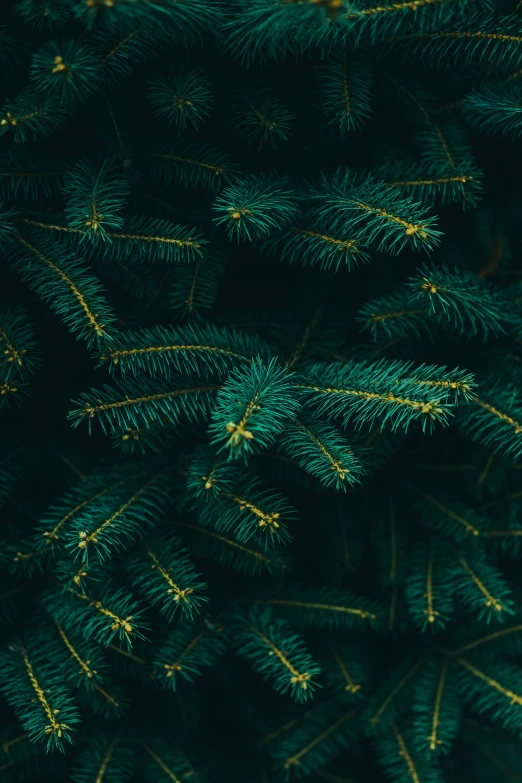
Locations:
(175, 584)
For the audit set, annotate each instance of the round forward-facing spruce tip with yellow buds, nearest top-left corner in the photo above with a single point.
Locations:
(66, 69)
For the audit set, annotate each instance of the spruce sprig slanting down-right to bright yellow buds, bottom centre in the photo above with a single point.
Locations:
(276, 653)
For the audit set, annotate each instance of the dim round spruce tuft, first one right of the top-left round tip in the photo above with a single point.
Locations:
(181, 99)
